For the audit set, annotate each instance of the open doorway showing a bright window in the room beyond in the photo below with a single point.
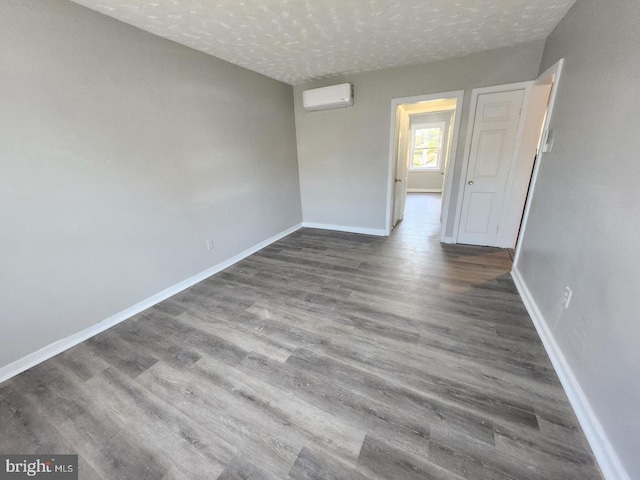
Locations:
(424, 137)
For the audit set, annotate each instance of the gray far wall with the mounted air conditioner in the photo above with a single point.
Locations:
(343, 154)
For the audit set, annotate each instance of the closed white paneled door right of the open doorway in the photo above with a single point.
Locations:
(491, 154)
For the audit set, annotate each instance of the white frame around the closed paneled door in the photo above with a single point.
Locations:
(526, 86)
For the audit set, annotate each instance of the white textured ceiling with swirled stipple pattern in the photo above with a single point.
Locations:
(298, 40)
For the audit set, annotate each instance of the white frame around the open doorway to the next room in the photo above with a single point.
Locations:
(448, 179)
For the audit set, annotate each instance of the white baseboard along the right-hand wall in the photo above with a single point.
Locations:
(604, 452)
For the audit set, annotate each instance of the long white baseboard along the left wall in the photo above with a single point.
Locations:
(60, 346)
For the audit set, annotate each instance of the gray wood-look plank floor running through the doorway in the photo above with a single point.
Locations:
(324, 356)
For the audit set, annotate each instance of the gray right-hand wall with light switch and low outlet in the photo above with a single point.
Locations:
(583, 229)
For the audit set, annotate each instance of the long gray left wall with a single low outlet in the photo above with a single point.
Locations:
(120, 154)
